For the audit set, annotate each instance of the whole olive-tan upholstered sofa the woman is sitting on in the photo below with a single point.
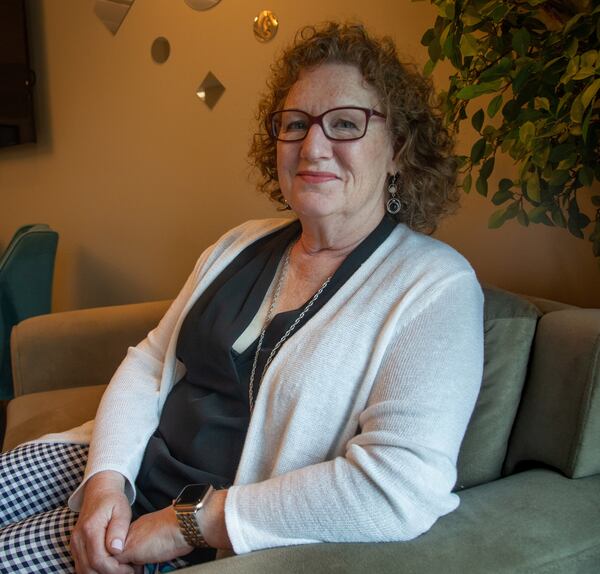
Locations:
(528, 470)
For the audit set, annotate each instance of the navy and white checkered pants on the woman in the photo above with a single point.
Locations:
(35, 525)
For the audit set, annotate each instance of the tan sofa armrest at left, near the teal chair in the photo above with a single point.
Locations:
(77, 348)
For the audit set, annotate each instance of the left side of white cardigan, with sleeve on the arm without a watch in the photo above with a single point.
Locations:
(130, 408)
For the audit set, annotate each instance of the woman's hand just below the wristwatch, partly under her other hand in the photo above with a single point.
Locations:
(154, 537)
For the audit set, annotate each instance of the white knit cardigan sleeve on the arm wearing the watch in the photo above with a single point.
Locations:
(397, 473)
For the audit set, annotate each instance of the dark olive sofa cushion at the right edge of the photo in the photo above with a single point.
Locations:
(558, 422)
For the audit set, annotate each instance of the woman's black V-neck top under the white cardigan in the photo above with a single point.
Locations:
(203, 424)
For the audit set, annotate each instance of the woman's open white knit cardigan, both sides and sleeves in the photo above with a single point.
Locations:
(360, 416)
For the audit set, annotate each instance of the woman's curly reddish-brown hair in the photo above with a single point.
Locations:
(424, 146)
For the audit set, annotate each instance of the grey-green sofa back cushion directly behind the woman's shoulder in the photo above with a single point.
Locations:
(509, 325)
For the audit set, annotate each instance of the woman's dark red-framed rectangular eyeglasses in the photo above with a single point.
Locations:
(338, 124)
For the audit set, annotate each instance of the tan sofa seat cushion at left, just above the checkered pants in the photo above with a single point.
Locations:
(31, 416)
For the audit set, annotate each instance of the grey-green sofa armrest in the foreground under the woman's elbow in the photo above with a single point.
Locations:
(537, 521)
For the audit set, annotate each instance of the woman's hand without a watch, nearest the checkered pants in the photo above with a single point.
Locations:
(102, 526)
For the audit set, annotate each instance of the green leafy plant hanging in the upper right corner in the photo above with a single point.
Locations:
(528, 78)
